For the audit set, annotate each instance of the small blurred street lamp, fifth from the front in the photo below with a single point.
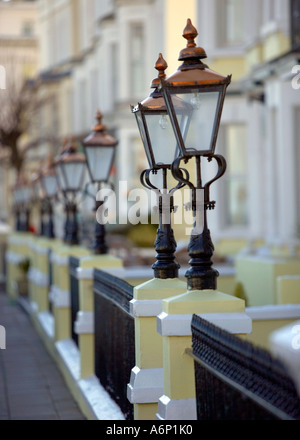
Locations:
(49, 186)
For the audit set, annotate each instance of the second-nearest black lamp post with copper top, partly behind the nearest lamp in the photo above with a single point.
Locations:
(161, 149)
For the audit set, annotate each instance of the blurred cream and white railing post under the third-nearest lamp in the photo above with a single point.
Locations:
(84, 324)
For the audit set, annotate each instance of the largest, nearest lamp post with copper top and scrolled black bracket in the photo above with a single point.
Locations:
(194, 97)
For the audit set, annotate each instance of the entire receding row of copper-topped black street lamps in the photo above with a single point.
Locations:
(178, 122)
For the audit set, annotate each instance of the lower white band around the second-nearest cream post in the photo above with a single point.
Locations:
(146, 385)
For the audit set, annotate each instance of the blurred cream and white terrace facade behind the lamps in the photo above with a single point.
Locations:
(101, 54)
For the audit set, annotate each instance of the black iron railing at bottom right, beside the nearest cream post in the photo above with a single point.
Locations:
(236, 380)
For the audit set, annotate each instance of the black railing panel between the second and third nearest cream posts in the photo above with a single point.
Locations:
(114, 337)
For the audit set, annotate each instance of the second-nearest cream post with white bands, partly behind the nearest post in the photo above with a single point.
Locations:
(146, 382)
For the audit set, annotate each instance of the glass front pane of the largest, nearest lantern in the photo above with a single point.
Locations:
(197, 117)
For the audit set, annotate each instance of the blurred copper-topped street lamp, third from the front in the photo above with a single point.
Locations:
(99, 148)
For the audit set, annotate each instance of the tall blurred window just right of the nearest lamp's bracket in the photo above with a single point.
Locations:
(234, 183)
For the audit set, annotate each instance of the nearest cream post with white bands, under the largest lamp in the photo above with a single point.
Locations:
(178, 401)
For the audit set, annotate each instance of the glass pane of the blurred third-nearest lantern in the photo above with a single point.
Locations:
(99, 162)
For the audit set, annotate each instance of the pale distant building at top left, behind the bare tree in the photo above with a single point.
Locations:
(19, 60)
